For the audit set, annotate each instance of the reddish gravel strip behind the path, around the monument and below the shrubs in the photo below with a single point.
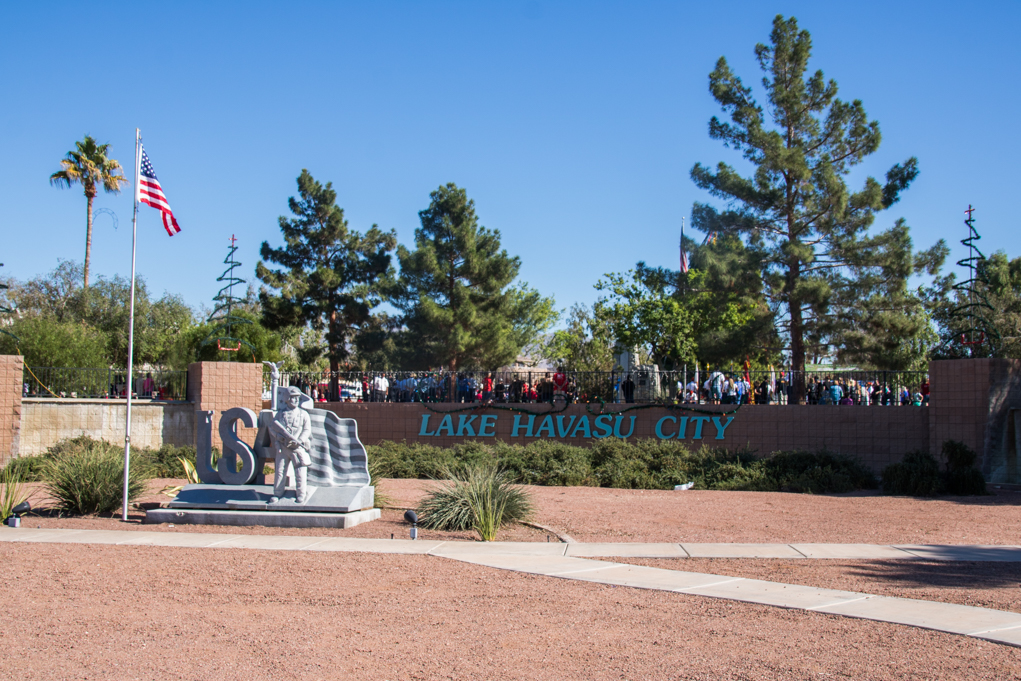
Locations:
(595, 515)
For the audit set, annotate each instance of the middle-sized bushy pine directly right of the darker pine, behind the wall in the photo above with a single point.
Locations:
(460, 308)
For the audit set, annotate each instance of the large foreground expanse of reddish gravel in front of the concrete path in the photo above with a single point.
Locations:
(85, 612)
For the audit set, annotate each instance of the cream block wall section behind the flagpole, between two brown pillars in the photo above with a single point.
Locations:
(46, 422)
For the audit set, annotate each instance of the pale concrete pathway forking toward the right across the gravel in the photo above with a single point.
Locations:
(574, 562)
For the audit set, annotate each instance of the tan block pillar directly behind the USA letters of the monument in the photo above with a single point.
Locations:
(218, 386)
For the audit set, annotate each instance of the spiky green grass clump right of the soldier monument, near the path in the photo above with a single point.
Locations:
(478, 497)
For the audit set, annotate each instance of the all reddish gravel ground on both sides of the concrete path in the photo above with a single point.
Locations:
(156, 613)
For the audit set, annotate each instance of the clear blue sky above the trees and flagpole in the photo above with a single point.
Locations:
(573, 126)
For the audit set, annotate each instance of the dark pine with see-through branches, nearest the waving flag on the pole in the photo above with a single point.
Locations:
(331, 276)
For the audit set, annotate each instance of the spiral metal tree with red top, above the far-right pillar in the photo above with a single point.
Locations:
(970, 317)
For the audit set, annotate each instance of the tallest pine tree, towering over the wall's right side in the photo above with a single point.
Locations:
(813, 232)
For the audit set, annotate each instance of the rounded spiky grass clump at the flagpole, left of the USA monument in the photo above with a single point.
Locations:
(89, 479)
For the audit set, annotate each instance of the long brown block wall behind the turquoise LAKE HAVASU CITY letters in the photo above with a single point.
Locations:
(879, 435)
